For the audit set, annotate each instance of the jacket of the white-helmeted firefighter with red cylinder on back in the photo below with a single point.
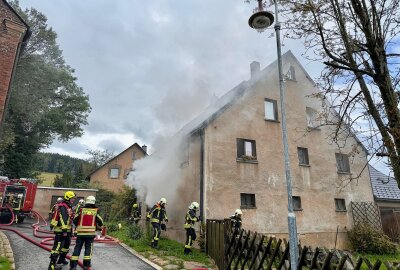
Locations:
(87, 220)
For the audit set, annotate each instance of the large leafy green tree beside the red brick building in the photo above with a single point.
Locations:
(45, 101)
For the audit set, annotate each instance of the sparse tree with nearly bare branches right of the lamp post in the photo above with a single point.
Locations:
(355, 39)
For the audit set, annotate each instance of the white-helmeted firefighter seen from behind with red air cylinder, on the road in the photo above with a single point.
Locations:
(86, 223)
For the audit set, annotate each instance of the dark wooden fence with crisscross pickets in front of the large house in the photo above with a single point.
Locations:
(250, 250)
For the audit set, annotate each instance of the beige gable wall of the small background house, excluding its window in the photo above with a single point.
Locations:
(123, 161)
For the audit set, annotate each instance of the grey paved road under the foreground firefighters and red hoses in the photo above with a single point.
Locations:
(106, 256)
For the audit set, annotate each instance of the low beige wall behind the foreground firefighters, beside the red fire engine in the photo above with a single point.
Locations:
(44, 195)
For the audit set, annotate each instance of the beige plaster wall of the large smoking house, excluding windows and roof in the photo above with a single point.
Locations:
(317, 185)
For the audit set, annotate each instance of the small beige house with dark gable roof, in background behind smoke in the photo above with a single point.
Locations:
(113, 174)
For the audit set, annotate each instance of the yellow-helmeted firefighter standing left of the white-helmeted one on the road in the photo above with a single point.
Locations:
(61, 222)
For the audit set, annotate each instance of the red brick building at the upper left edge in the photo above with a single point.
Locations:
(14, 32)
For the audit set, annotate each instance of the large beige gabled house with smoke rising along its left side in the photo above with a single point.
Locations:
(232, 158)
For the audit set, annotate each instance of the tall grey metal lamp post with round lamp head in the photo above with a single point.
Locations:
(261, 20)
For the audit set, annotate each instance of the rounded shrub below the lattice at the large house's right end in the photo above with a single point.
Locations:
(366, 239)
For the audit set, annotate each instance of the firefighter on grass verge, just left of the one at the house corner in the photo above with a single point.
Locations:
(157, 216)
